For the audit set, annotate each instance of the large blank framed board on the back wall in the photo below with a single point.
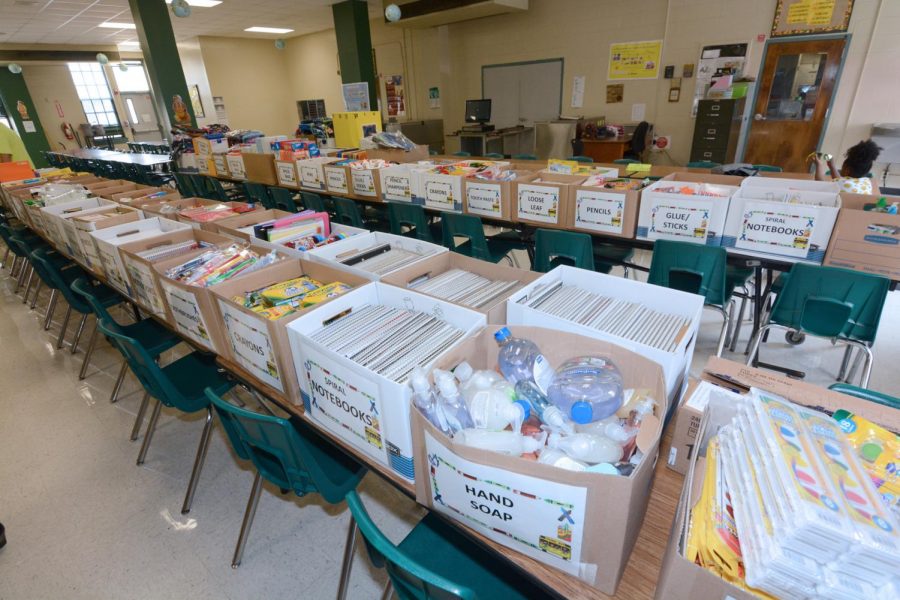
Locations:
(522, 93)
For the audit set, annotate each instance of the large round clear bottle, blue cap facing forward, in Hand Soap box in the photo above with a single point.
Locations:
(587, 388)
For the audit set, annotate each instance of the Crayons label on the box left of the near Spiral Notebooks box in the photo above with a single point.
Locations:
(250, 342)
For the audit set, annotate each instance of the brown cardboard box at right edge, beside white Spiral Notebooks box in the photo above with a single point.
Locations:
(864, 240)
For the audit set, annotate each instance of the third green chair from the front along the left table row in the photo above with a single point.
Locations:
(180, 385)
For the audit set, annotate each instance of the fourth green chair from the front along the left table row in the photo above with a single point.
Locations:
(154, 337)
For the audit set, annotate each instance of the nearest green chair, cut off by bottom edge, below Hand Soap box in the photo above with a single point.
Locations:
(437, 560)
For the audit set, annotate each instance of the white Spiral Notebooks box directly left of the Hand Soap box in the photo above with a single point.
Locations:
(333, 387)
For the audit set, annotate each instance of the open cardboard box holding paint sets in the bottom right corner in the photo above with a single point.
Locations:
(681, 579)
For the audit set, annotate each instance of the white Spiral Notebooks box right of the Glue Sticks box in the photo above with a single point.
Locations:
(795, 224)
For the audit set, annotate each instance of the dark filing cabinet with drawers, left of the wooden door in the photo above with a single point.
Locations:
(717, 130)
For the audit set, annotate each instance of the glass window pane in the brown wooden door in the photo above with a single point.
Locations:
(795, 87)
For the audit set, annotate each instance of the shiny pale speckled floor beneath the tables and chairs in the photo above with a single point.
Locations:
(84, 522)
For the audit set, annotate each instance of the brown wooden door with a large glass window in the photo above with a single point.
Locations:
(795, 91)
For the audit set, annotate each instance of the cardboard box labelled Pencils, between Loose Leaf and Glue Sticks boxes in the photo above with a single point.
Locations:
(608, 212)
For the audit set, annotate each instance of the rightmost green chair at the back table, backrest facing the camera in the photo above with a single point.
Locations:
(841, 305)
